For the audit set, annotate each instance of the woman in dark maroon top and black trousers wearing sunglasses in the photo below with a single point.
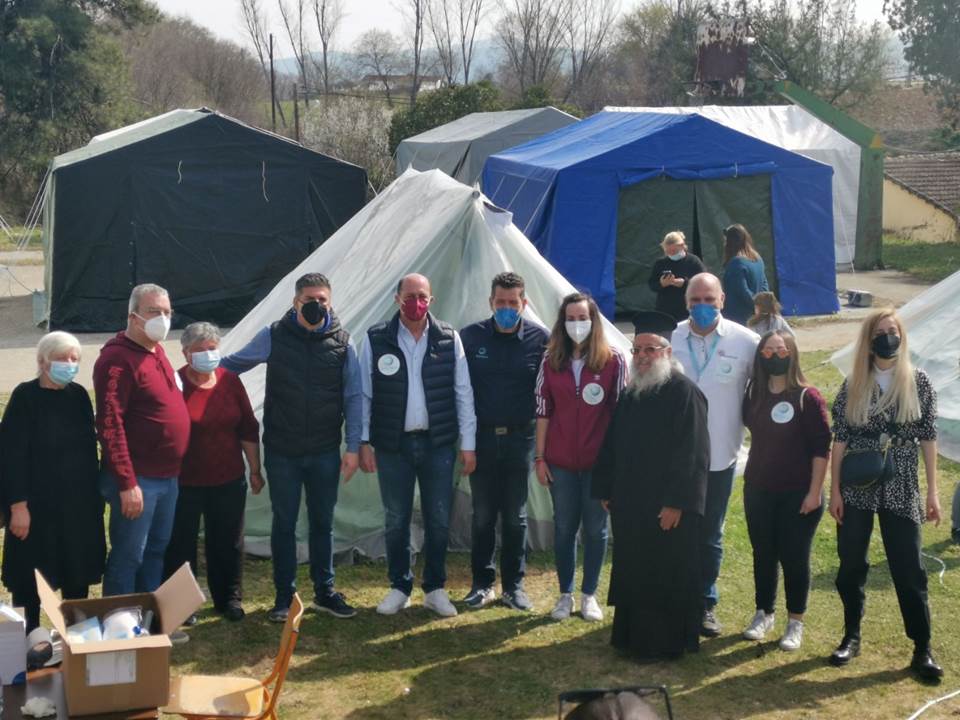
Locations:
(783, 481)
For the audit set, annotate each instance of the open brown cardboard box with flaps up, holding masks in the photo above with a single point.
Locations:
(118, 675)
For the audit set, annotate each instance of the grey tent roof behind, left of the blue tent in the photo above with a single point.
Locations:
(460, 148)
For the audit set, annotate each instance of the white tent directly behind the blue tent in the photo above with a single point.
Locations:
(793, 128)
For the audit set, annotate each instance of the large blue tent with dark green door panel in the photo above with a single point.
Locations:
(597, 197)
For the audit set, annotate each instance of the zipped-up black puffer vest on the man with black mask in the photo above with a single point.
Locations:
(303, 402)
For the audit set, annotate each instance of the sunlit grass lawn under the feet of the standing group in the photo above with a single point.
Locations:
(497, 663)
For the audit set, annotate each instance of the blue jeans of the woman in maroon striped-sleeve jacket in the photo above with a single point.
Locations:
(572, 504)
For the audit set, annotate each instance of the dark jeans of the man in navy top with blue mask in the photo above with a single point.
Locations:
(499, 488)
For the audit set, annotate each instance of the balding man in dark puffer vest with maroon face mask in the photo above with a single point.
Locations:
(417, 400)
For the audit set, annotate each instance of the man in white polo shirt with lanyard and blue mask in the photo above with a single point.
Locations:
(717, 354)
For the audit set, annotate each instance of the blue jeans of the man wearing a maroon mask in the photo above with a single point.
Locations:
(417, 461)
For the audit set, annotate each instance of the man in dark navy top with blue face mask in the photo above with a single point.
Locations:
(504, 354)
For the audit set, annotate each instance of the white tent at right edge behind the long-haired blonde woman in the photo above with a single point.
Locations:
(932, 320)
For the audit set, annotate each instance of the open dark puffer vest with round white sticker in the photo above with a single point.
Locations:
(389, 406)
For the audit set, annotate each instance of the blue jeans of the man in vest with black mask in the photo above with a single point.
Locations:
(319, 476)
